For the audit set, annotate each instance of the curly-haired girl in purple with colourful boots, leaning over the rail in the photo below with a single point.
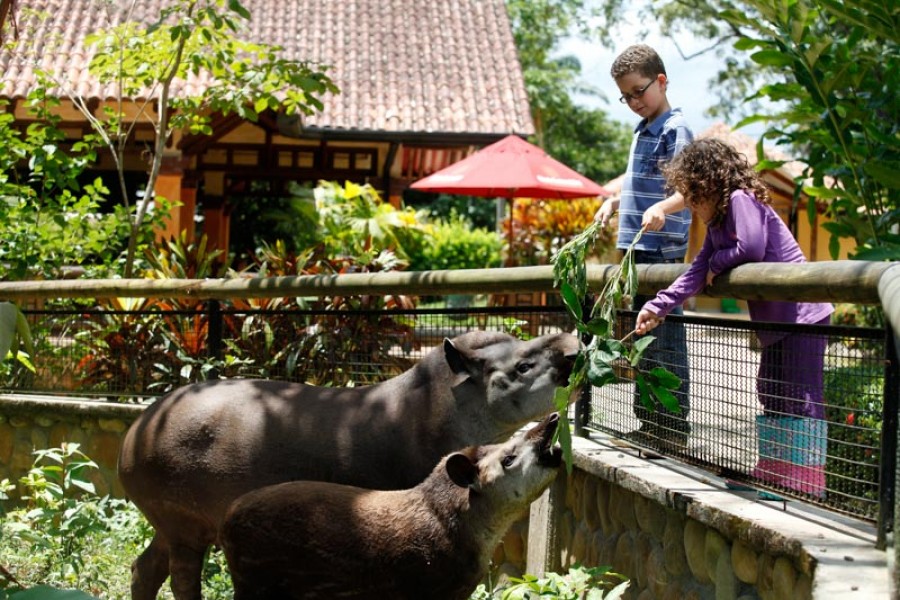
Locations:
(721, 188)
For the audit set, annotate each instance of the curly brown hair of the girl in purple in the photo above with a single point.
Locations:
(709, 170)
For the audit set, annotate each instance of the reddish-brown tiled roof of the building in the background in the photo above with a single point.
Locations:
(445, 66)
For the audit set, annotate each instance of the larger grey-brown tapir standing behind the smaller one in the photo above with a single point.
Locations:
(200, 447)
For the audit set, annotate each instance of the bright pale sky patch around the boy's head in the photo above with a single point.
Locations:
(688, 79)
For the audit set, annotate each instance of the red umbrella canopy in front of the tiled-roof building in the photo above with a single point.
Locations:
(510, 168)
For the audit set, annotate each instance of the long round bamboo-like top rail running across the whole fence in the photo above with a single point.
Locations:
(838, 281)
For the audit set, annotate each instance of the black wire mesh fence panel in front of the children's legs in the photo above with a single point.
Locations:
(821, 442)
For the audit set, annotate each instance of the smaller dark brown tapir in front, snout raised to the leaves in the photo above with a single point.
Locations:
(312, 540)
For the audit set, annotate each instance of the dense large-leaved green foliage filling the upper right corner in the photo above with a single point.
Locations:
(839, 63)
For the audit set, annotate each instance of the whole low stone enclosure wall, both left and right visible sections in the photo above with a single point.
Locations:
(674, 533)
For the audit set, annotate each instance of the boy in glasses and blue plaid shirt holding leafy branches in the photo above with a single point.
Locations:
(640, 75)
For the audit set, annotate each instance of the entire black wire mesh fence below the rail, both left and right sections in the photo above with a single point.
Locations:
(827, 452)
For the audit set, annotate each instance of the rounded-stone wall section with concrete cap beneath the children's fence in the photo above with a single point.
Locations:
(678, 534)
